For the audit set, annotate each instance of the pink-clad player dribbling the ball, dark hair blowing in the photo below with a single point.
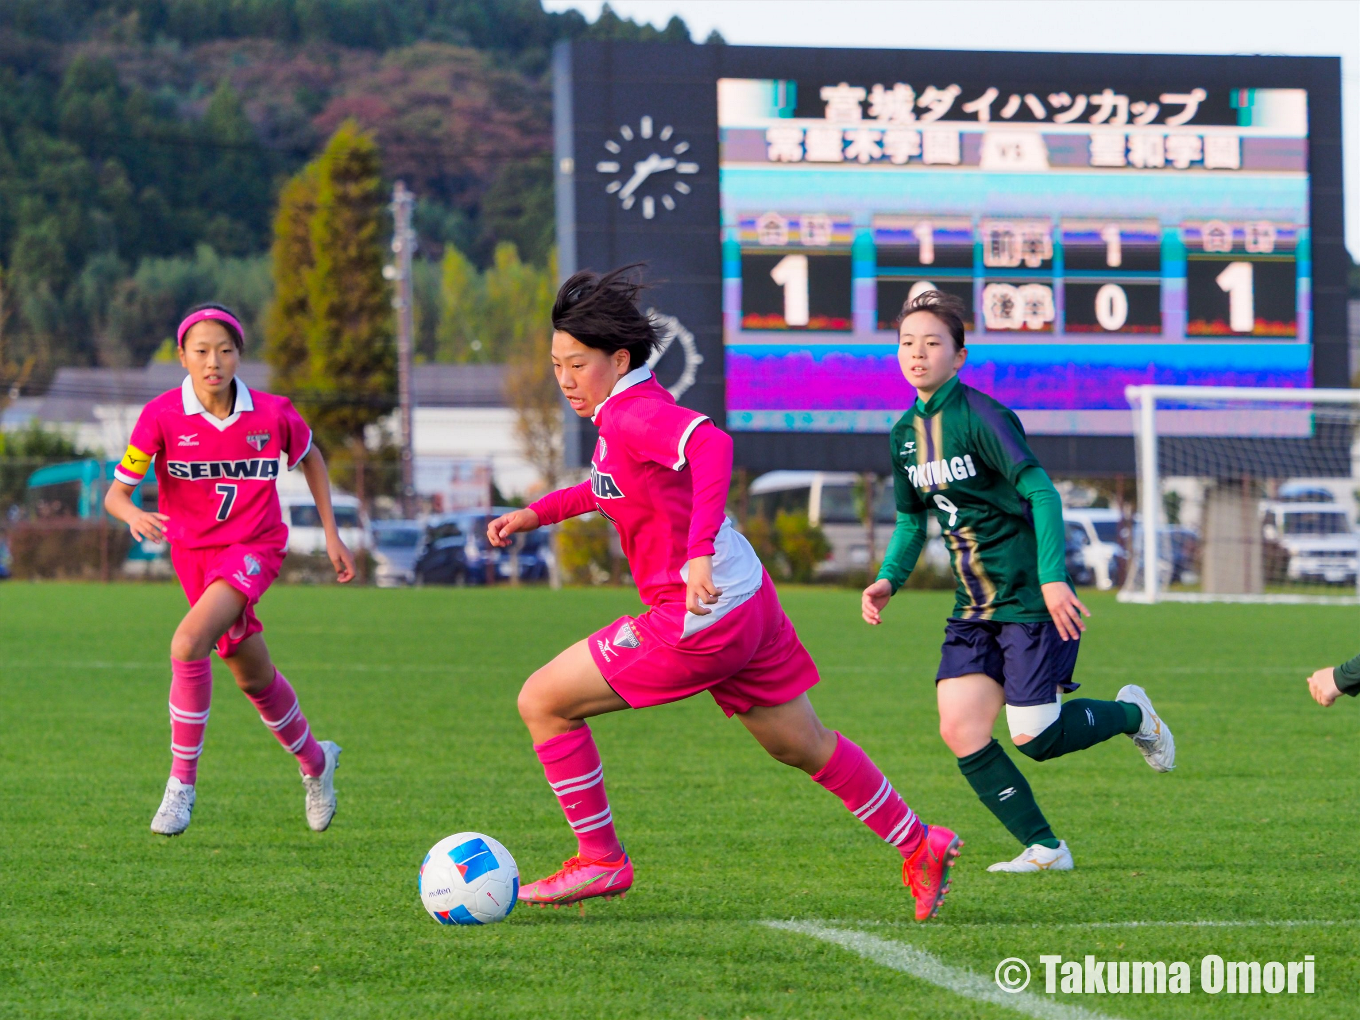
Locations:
(713, 621)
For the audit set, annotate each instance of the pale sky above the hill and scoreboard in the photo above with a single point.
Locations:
(1301, 28)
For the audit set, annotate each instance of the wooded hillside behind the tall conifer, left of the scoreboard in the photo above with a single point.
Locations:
(145, 146)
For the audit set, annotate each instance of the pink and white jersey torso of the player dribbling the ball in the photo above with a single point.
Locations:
(639, 482)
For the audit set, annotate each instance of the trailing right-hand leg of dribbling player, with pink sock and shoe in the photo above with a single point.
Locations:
(794, 735)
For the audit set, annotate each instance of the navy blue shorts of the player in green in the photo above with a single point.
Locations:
(1030, 660)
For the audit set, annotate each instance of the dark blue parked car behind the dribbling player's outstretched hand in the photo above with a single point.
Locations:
(455, 551)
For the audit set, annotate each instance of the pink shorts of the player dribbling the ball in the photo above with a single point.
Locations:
(751, 658)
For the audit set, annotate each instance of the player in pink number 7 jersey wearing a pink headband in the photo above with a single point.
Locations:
(217, 448)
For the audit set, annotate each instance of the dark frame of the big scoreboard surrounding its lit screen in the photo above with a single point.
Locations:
(599, 86)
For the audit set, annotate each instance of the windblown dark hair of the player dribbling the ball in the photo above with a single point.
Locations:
(602, 312)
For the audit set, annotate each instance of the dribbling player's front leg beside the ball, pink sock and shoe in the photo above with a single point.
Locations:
(556, 704)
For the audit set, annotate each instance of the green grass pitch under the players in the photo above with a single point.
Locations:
(250, 915)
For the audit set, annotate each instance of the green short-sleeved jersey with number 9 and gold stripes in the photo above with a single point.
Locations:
(961, 458)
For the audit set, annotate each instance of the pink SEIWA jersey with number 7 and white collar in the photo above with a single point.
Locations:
(218, 477)
